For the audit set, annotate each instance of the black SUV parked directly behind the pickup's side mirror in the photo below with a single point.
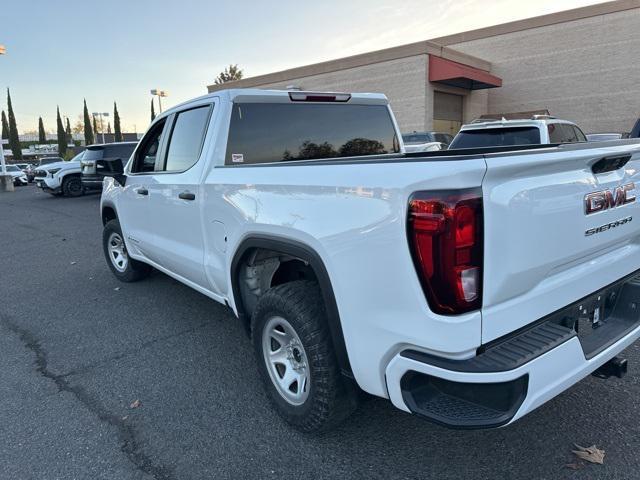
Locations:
(94, 167)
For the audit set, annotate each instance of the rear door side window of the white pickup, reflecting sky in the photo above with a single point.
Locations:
(186, 139)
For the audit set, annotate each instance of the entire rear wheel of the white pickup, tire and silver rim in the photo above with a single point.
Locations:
(296, 358)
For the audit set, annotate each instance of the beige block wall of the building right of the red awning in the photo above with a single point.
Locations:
(586, 70)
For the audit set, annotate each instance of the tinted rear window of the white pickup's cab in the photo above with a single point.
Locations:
(277, 132)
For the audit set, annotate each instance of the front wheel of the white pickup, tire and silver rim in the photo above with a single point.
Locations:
(125, 268)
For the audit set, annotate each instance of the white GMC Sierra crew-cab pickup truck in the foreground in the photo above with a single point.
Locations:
(467, 286)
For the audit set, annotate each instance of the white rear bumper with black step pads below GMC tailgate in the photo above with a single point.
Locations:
(513, 377)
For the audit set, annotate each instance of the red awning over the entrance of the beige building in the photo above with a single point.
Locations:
(460, 75)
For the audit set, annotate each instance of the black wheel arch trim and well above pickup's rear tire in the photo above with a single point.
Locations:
(259, 247)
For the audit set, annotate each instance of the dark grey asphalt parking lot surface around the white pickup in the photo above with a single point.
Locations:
(78, 348)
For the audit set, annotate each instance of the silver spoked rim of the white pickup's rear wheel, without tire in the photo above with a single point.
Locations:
(286, 360)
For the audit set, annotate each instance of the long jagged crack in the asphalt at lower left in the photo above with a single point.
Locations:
(130, 444)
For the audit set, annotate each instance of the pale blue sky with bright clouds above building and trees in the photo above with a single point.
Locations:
(59, 52)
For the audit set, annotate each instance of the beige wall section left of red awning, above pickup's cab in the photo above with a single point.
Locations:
(403, 80)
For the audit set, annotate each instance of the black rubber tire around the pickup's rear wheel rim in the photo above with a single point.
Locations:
(330, 399)
